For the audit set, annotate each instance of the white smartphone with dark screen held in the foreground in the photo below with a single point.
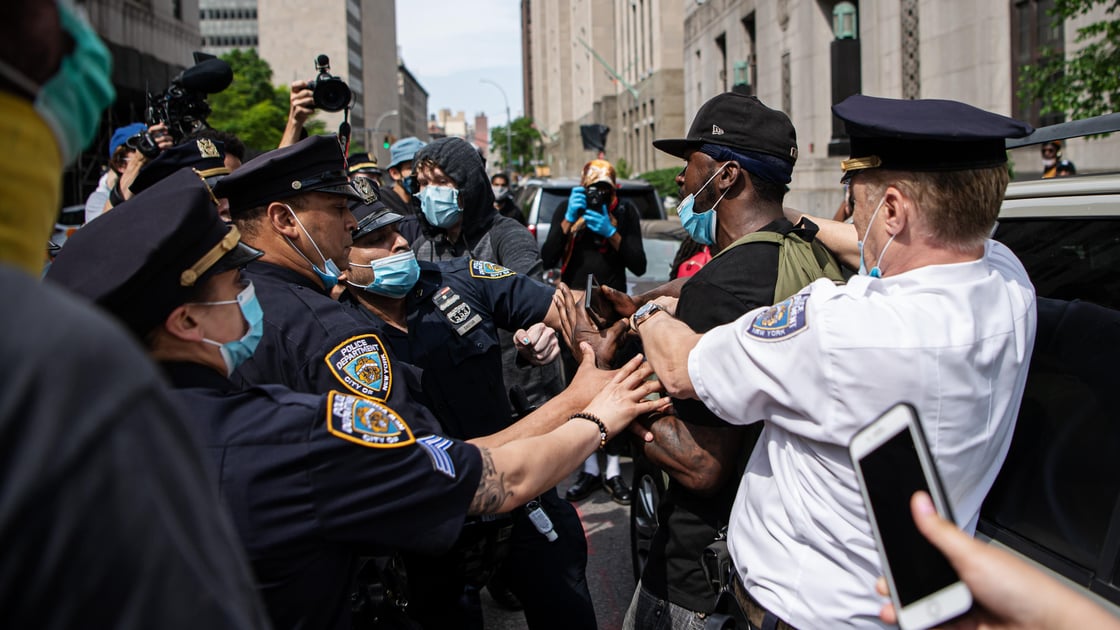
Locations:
(893, 462)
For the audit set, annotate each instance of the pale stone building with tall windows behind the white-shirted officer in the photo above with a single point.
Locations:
(802, 57)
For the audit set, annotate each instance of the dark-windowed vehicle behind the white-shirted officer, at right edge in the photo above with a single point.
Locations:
(1057, 502)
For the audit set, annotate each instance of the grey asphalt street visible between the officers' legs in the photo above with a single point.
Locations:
(610, 573)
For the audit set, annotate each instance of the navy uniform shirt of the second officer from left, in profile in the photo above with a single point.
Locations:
(314, 345)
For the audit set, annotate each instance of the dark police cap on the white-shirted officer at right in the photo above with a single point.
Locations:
(925, 135)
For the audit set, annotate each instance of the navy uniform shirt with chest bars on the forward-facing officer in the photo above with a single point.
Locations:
(455, 312)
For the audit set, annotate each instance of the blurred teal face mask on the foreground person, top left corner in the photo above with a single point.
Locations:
(71, 101)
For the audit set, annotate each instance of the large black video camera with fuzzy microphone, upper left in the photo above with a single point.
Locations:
(183, 107)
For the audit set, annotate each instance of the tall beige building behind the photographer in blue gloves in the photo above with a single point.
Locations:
(615, 63)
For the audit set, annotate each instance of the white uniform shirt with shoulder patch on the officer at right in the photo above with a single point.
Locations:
(954, 340)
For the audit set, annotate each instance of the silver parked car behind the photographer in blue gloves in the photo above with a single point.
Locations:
(540, 198)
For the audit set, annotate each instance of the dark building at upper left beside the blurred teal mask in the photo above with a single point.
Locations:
(152, 43)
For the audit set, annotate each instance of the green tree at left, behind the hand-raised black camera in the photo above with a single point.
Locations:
(251, 107)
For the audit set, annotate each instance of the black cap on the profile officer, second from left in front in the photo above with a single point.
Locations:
(315, 164)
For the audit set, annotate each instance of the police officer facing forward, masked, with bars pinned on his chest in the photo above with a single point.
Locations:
(445, 318)
